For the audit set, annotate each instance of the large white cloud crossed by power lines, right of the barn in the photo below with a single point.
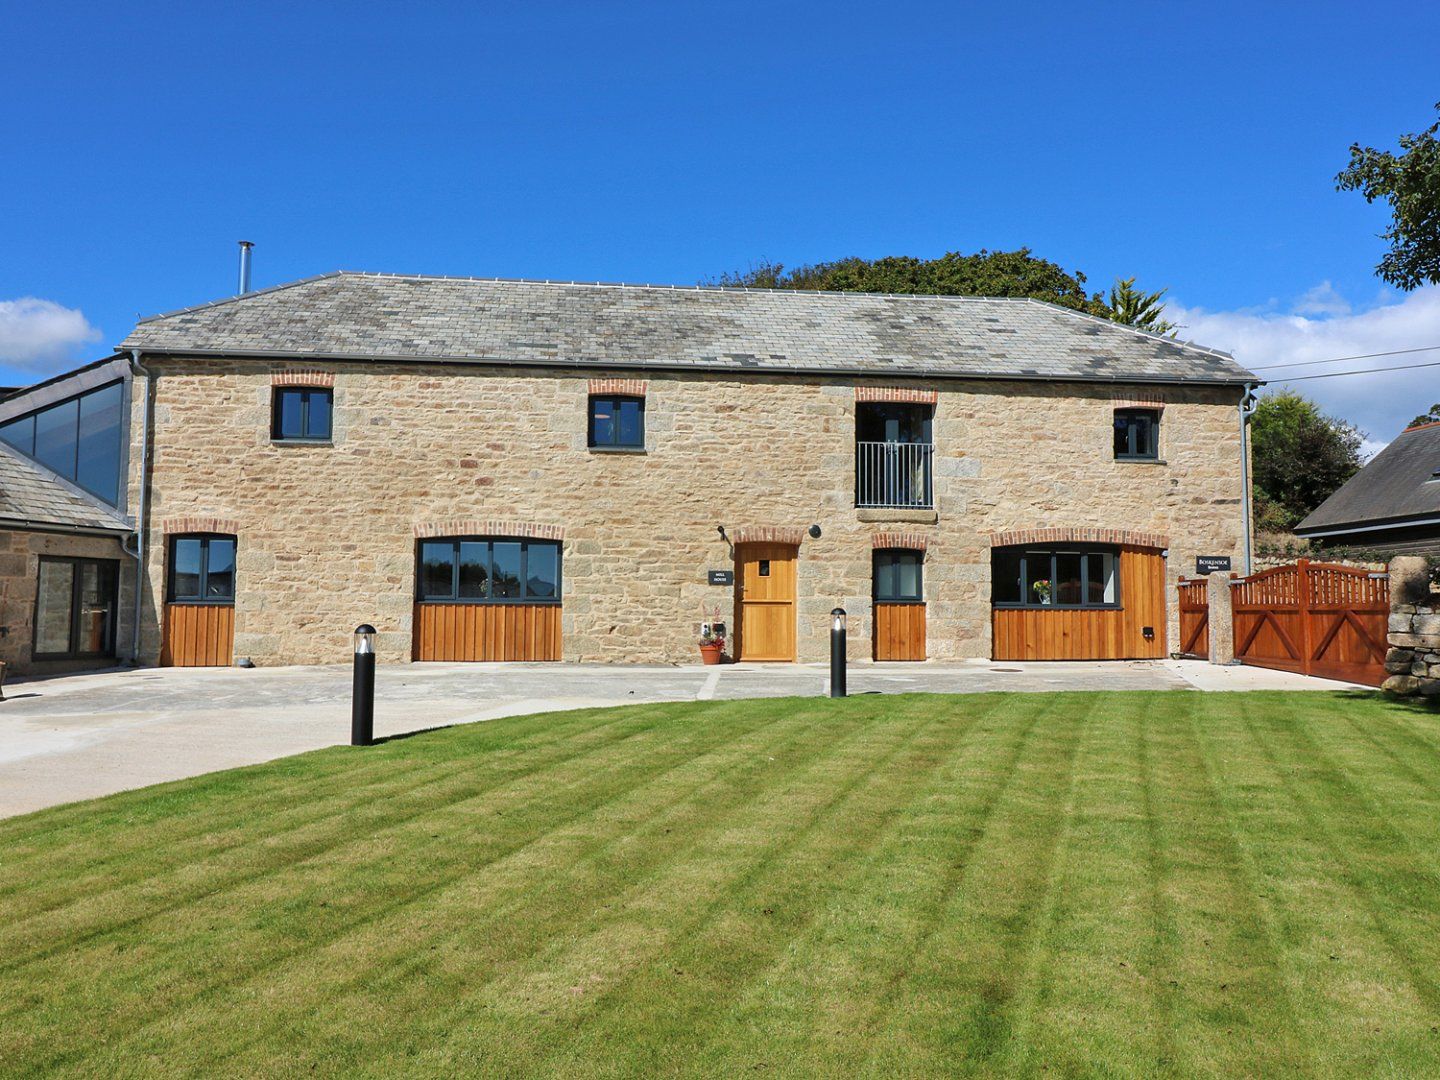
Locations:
(1320, 326)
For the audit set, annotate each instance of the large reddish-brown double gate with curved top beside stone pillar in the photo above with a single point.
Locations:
(1315, 620)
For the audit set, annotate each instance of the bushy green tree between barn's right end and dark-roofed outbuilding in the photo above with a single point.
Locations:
(1301, 457)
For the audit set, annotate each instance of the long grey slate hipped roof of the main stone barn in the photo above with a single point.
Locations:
(372, 316)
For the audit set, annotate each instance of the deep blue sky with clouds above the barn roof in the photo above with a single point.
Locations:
(1192, 146)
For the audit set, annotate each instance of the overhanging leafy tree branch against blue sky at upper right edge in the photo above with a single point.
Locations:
(1410, 184)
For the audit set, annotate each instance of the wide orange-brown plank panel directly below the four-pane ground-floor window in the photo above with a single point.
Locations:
(487, 631)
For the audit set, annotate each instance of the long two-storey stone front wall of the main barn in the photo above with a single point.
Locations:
(328, 532)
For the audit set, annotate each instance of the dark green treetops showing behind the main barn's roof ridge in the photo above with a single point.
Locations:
(954, 274)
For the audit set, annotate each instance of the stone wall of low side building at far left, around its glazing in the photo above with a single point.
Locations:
(21, 554)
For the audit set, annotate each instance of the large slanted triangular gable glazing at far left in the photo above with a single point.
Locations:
(78, 438)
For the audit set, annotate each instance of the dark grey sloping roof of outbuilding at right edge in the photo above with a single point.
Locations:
(1396, 486)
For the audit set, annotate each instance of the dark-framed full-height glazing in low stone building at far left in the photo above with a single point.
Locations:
(76, 608)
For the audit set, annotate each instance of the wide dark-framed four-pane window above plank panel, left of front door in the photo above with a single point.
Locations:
(489, 571)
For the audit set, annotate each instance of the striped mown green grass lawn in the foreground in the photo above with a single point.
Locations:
(1010, 883)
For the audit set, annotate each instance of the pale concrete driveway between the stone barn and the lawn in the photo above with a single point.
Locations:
(81, 737)
